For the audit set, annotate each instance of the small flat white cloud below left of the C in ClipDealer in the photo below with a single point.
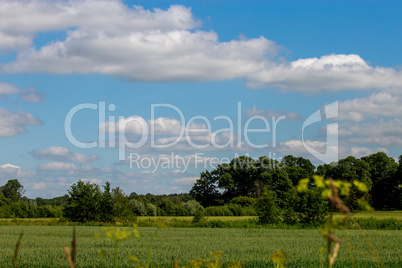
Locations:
(62, 154)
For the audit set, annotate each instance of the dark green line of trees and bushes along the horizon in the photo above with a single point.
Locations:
(243, 187)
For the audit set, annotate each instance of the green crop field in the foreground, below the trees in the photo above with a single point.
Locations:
(42, 246)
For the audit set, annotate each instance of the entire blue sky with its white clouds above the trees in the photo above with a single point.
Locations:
(214, 69)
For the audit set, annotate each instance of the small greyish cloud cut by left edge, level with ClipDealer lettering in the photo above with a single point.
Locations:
(12, 124)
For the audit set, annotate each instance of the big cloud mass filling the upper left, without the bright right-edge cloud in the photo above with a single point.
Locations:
(133, 43)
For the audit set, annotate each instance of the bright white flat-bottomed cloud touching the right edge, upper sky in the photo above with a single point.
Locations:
(330, 72)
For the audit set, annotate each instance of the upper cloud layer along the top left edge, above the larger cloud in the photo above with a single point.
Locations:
(22, 20)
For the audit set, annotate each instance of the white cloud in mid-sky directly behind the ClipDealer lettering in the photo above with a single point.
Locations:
(168, 134)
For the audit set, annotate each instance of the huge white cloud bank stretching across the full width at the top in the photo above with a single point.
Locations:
(111, 38)
